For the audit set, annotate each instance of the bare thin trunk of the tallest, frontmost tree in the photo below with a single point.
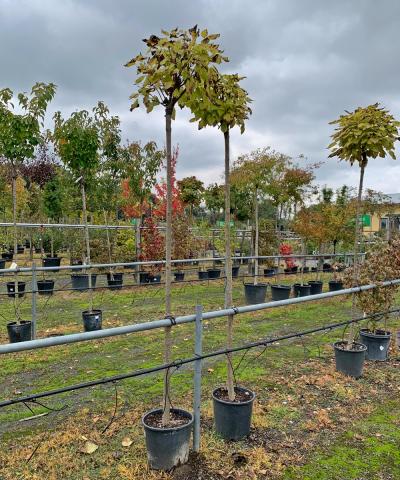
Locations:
(168, 270)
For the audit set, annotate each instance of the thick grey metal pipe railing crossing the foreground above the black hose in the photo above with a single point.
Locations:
(167, 322)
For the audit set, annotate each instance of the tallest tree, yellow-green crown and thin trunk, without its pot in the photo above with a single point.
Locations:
(173, 70)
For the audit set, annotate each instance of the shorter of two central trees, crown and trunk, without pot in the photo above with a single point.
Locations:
(224, 104)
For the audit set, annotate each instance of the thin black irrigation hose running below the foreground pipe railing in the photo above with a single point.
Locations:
(179, 363)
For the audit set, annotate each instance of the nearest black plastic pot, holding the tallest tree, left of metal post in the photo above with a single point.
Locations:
(168, 447)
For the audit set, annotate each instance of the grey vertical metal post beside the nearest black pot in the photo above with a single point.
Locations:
(198, 349)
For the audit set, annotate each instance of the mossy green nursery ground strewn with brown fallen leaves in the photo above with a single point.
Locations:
(309, 421)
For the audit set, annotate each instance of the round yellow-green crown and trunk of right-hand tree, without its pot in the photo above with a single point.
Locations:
(368, 132)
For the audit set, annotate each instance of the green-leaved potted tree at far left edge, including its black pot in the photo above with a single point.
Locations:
(19, 136)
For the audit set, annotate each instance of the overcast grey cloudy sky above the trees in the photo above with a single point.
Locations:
(305, 62)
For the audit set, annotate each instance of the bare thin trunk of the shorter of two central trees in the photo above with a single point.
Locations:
(228, 267)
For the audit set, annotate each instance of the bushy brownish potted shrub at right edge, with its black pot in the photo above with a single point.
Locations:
(381, 265)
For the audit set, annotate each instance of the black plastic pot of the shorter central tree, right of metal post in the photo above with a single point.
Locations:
(233, 419)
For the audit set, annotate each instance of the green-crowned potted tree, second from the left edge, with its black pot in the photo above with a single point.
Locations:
(78, 143)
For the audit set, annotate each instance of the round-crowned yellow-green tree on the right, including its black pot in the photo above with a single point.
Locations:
(368, 132)
